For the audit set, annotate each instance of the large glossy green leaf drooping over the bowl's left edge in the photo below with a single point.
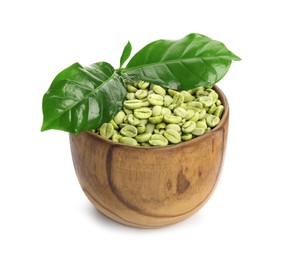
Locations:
(81, 98)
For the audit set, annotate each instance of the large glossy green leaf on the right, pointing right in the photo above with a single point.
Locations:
(192, 61)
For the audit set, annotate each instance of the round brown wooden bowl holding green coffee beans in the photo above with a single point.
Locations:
(150, 187)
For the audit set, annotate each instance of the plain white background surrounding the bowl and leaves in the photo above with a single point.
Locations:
(45, 215)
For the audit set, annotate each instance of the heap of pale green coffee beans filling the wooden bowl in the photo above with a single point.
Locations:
(150, 117)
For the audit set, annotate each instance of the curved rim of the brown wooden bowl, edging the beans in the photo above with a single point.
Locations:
(225, 115)
